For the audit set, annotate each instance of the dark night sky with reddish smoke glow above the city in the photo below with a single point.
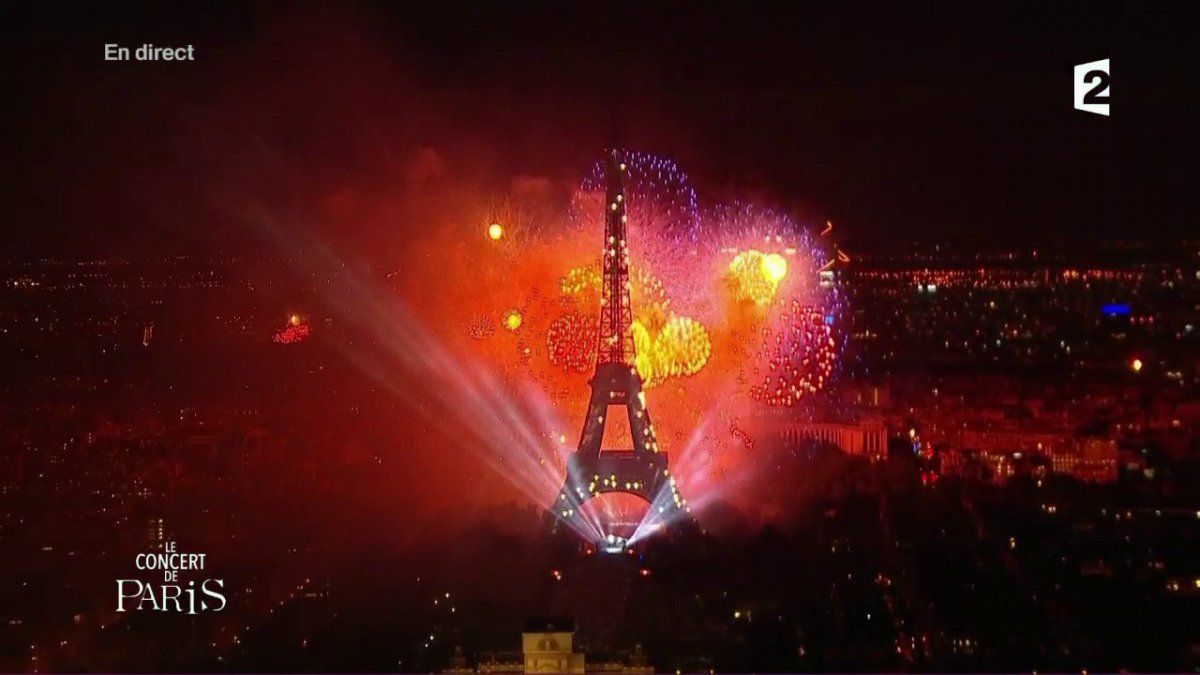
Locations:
(898, 124)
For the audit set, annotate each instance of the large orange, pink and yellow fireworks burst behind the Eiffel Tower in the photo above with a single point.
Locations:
(731, 318)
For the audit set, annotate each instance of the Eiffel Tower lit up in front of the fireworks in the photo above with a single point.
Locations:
(641, 470)
